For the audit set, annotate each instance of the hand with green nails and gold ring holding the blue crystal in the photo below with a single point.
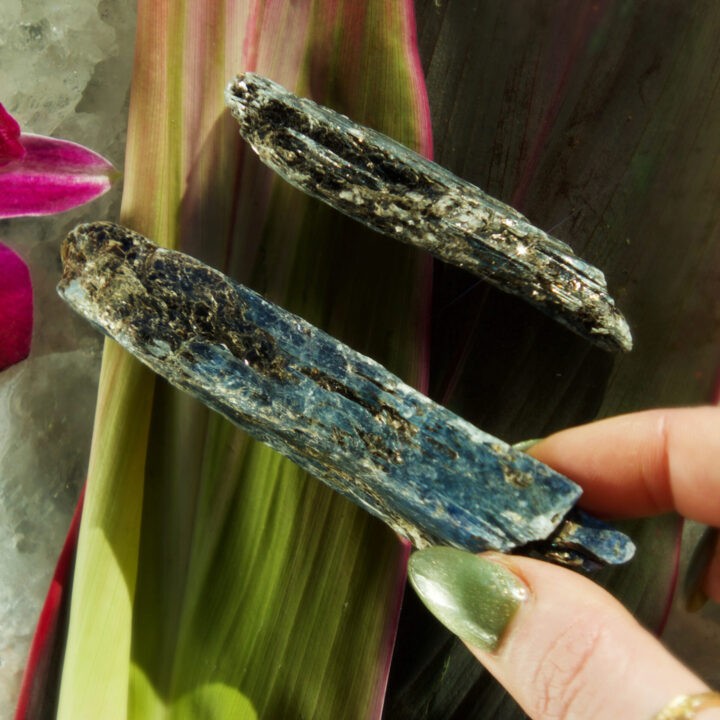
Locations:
(559, 643)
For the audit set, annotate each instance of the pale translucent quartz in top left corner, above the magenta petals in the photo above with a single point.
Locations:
(64, 67)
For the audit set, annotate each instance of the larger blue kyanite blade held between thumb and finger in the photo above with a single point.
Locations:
(341, 416)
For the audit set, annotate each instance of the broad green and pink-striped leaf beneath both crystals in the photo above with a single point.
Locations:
(239, 571)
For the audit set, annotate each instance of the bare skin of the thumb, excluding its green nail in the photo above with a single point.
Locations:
(572, 650)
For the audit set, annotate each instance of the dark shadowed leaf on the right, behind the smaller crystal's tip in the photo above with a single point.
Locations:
(595, 119)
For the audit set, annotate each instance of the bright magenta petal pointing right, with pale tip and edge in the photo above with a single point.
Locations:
(55, 175)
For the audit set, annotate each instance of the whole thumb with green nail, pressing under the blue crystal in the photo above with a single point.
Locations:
(559, 643)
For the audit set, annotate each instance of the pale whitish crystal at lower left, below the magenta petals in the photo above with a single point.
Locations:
(45, 427)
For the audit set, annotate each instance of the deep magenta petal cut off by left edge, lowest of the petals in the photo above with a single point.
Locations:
(15, 308)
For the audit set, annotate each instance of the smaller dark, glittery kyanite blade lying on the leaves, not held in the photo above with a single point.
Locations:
(395, 191)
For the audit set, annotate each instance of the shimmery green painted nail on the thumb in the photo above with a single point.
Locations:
(473, 597)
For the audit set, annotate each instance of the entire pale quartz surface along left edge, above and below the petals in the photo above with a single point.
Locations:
(64, 71)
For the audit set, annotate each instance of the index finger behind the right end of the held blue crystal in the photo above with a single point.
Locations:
(643, 463)
